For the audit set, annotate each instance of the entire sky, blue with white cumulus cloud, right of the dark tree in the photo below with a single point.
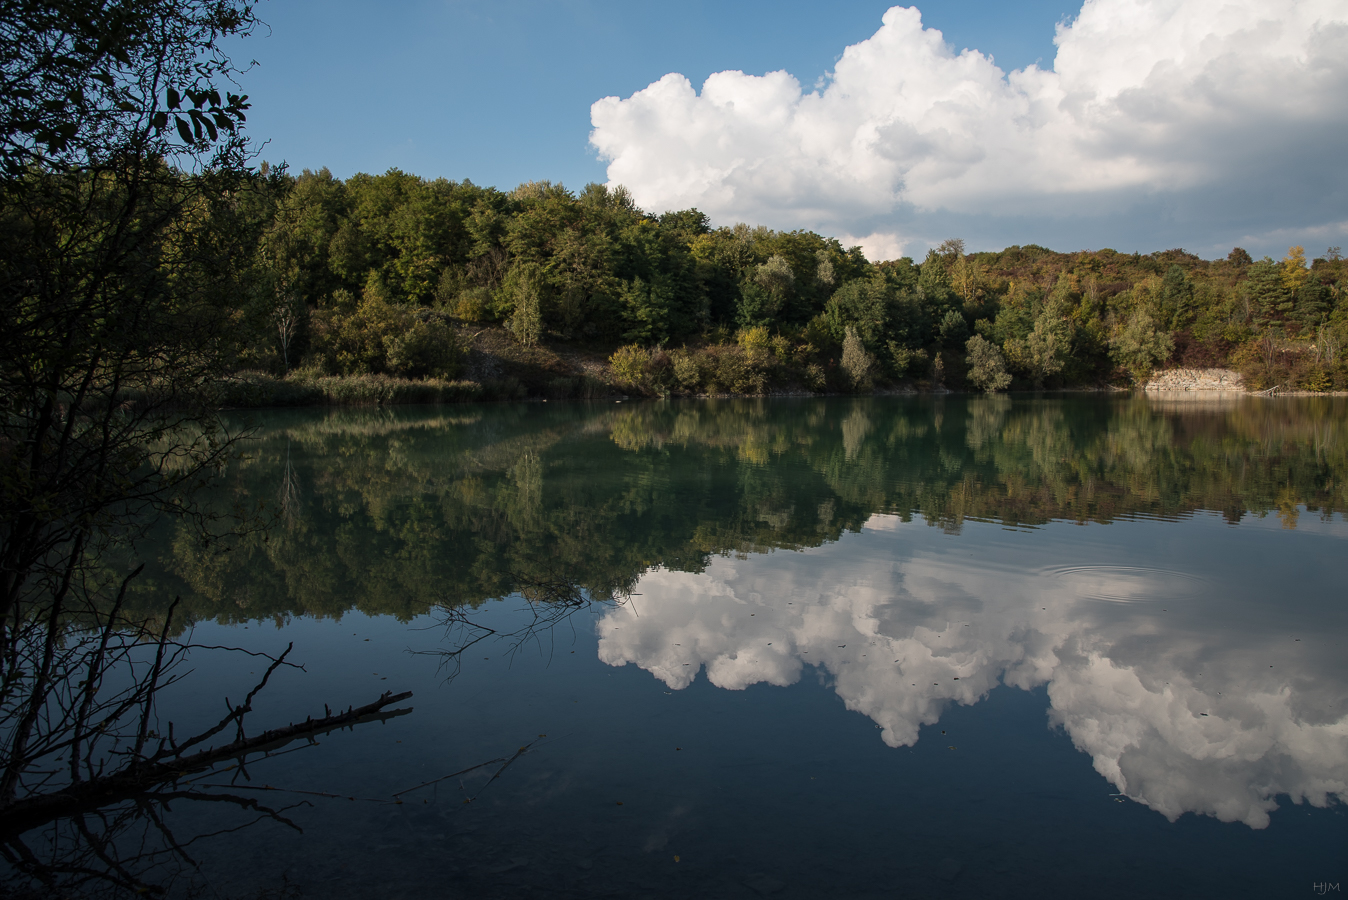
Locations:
(1151, 125)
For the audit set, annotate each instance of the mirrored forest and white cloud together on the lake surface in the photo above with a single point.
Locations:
(916, 553)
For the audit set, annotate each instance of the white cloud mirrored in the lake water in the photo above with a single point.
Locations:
(1187, 690)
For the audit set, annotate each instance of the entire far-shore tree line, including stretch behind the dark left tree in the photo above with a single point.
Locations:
(308, 277)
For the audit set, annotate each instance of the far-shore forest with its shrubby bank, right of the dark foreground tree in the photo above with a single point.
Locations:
(396, 276)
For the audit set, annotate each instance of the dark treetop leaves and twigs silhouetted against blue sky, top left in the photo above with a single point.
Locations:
(86, 82)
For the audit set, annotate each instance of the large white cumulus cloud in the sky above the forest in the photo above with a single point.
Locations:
(1161, 121)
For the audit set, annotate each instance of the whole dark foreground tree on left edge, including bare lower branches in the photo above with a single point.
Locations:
(130, 223)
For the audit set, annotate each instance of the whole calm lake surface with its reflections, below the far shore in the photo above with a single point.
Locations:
(884, 647)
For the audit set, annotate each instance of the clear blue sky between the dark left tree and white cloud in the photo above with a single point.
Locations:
(501, 92)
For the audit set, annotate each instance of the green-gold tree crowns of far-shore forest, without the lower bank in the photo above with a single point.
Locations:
(607, 274)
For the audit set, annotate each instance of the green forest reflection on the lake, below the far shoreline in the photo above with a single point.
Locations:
(394, 513)
